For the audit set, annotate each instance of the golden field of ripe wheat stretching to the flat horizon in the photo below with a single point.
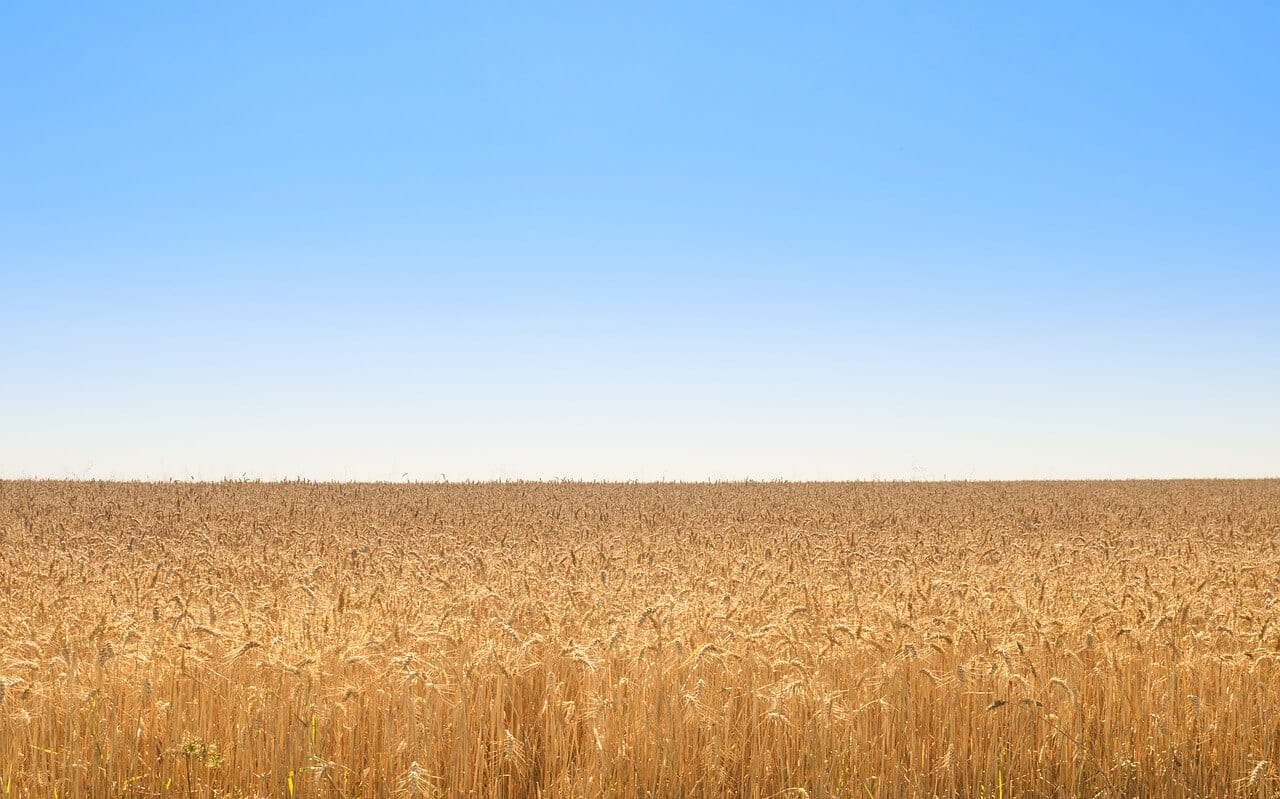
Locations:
(1020, 640)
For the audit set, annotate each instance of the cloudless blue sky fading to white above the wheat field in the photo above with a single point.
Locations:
(639, 241)
